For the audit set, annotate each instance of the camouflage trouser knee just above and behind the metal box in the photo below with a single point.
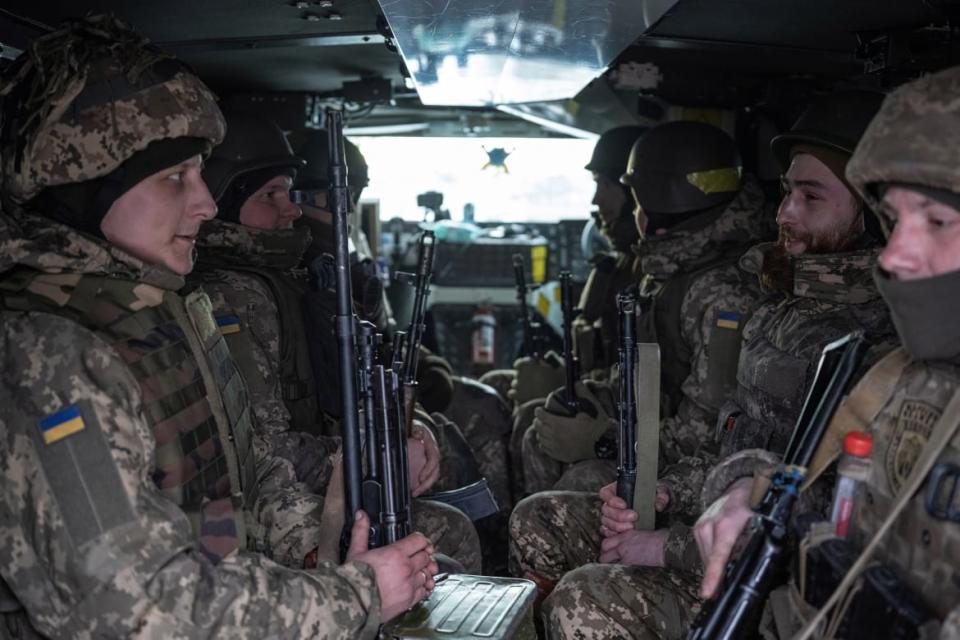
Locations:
(451, 532)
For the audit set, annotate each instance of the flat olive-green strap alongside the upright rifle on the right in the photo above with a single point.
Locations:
(647, 389)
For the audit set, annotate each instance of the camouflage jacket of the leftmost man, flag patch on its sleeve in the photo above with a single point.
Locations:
(92, 546)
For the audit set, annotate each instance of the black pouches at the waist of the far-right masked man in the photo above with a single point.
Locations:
(880, 605)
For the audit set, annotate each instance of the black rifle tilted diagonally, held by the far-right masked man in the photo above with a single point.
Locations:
(749, 580)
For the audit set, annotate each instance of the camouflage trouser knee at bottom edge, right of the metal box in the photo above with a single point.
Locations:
(603, 601)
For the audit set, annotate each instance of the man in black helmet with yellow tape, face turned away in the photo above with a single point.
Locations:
(695, 295)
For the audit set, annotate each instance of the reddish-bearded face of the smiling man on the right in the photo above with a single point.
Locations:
(818, 214)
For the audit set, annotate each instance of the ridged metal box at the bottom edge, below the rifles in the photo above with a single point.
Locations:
(464, 607)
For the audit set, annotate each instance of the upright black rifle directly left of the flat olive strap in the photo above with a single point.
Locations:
(627, 453)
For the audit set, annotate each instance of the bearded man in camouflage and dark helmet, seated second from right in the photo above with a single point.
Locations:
(824, 291)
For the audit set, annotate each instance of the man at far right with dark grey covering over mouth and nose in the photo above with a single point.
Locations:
(905, 167)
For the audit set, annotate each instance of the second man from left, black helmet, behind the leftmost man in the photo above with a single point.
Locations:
(247, 264)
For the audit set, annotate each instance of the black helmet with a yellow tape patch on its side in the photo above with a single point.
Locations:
(681, 167)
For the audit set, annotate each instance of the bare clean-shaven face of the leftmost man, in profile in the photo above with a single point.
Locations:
(158, 219)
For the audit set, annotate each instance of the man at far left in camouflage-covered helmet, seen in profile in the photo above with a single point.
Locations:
(136, 499)
